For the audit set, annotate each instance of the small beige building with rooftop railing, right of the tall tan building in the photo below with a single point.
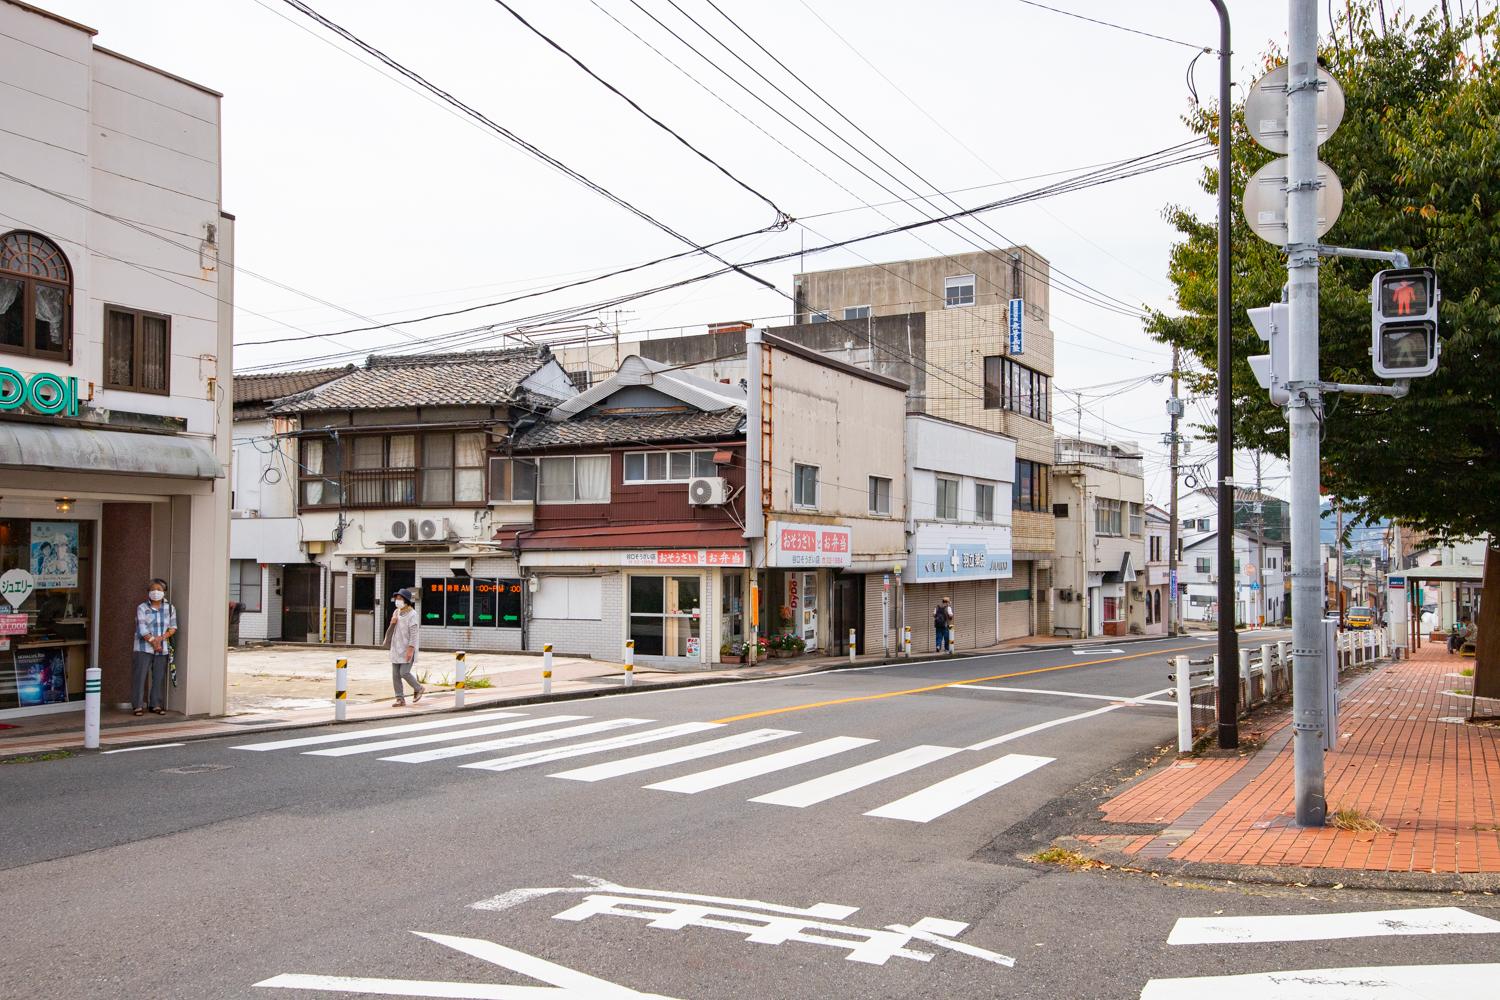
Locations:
(1099, 503)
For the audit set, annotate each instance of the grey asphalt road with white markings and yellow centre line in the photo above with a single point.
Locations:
(848, 834)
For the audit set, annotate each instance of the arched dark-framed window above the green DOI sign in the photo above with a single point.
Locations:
(37, 298)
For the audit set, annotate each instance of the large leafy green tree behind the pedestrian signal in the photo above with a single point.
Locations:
(1420, 158)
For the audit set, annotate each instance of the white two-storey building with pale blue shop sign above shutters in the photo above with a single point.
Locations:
(959, 533)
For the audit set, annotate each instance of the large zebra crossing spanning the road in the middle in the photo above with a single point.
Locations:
(751, 758)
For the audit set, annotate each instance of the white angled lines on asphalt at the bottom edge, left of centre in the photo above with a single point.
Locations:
(563, 983)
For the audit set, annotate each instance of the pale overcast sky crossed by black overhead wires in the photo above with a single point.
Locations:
(352, 188)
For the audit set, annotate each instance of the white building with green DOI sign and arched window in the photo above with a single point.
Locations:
(116, 337)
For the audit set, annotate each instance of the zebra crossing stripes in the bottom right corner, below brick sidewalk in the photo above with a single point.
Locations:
(1355, 983)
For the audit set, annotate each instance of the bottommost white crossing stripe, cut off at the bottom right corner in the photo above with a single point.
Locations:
(1370, 983)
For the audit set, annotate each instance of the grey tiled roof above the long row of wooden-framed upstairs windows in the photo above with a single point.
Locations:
(425, 380)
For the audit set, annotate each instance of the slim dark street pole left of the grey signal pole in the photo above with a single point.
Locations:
(1228, 639)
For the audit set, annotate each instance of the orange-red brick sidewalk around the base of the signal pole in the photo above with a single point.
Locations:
(1406, 761)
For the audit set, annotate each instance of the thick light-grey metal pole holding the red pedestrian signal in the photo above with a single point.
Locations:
(1304, 415)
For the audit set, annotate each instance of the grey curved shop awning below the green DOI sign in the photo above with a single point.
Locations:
(113, 452)
